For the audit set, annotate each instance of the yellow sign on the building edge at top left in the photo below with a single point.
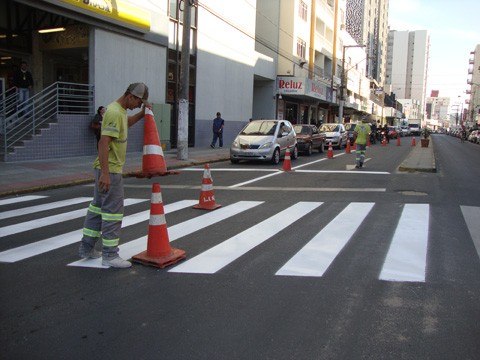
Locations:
(117, 10)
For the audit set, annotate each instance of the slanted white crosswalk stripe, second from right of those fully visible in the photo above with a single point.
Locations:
(318, 254)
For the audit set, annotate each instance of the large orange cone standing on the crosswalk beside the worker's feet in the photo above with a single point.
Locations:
(159, 253)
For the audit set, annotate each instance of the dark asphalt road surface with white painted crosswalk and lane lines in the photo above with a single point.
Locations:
(324, 262)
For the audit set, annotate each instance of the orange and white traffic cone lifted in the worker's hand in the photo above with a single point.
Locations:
(153, 161)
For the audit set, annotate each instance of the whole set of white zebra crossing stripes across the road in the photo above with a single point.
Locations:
(405, 260)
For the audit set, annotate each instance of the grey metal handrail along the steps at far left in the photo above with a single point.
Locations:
(22, 119)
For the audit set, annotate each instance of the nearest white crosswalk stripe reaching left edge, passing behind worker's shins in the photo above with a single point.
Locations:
(43, 246)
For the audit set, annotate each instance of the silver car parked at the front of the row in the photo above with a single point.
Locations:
(264, 140)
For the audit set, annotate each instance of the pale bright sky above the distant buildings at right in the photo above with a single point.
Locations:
(454, 30)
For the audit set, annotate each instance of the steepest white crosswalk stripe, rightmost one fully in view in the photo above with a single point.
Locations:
(407, 257)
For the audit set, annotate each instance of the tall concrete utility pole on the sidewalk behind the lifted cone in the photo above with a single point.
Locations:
(182, 128)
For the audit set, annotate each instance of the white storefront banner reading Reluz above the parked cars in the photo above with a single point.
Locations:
(287, 85)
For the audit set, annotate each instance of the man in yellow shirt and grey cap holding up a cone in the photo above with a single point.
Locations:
(105, 213)
